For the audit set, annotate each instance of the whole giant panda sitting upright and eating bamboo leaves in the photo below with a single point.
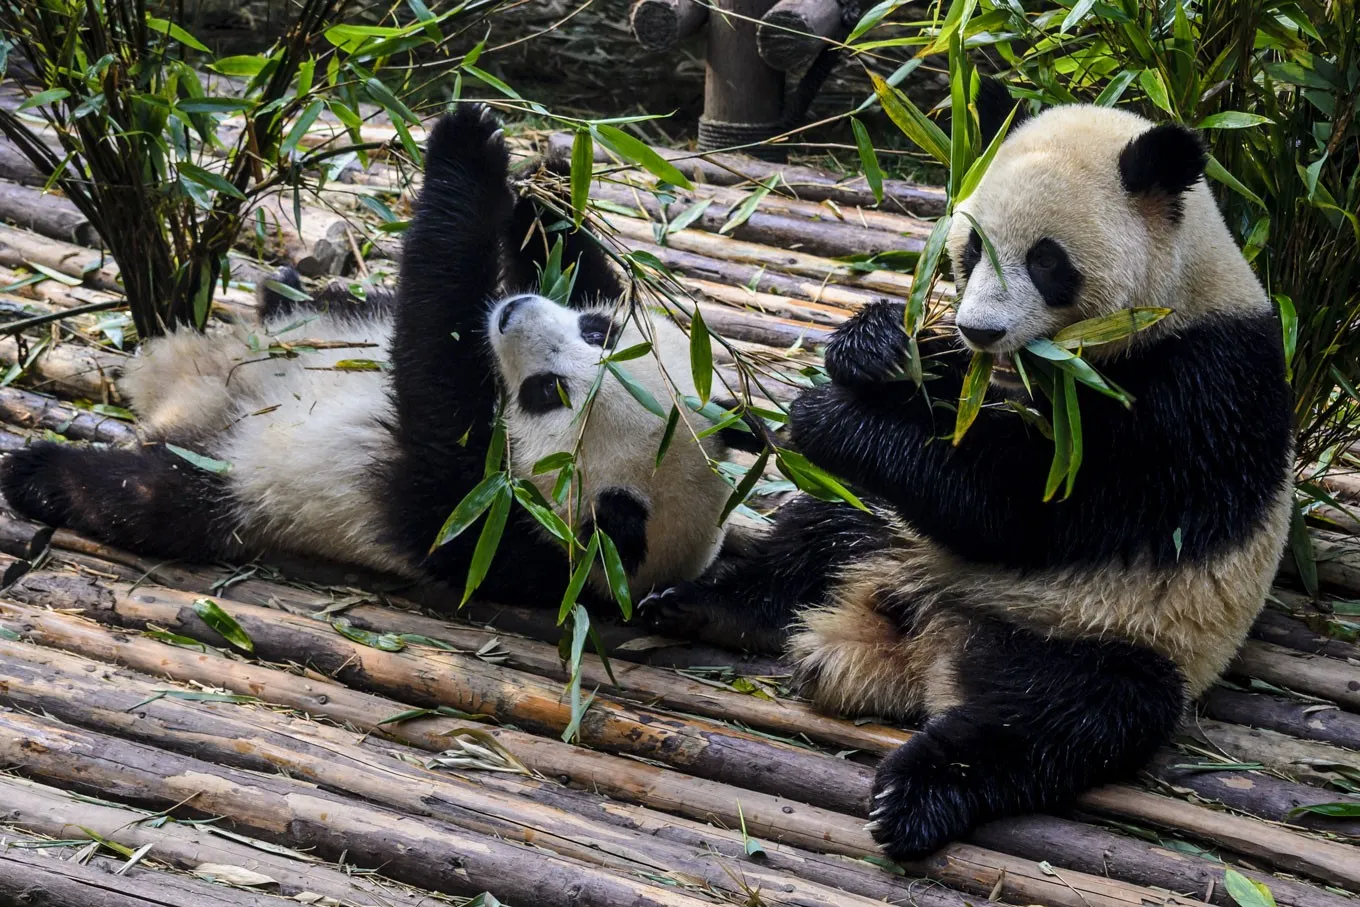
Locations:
(1051, 648)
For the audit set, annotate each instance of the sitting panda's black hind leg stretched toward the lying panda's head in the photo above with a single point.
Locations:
(750, 596)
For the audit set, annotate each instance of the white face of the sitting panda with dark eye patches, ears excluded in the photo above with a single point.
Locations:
(1071, 241)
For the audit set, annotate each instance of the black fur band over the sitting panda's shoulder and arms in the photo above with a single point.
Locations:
(1203, 451)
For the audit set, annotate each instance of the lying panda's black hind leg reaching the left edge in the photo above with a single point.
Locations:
(149, 501)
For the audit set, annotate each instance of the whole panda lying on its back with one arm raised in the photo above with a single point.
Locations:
(358, 468)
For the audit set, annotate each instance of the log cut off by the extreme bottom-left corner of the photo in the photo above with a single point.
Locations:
(39, 878)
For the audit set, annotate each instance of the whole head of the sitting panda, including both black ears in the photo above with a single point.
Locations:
(1089, 211)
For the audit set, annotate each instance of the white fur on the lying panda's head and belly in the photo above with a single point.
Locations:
(305, 440)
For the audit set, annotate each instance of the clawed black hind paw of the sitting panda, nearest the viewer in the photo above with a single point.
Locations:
(921, 800)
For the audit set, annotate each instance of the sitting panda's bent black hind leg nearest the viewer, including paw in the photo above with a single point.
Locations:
(1041, 721)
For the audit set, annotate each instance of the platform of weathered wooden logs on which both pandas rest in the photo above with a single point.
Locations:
(148, 762)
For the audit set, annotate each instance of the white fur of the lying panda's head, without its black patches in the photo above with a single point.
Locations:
(683, 496)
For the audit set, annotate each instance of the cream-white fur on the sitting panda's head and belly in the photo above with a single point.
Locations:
(1057, 176)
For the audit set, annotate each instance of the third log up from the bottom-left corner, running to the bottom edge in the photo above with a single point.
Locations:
(425, 853)
